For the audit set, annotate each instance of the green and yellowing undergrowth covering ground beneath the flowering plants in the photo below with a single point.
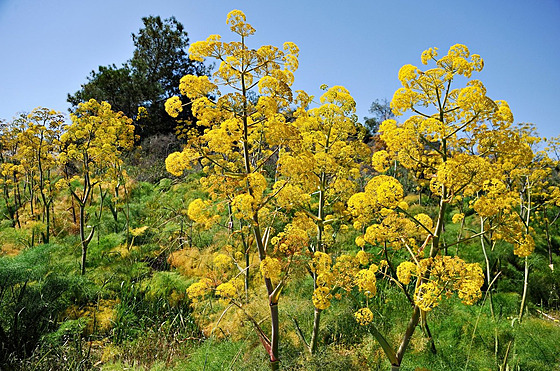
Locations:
(131, 312)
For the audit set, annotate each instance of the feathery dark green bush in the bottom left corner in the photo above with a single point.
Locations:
(33, 293)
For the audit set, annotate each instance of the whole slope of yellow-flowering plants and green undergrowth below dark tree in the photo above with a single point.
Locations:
(283, 236)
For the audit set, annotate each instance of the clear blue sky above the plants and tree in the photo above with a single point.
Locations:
(48, 48)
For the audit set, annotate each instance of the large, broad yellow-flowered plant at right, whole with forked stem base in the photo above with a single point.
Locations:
(454, 139)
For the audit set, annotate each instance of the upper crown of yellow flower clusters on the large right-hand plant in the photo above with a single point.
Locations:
(418, 144)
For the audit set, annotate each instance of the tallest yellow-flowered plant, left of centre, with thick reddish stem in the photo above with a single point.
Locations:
(240, 137)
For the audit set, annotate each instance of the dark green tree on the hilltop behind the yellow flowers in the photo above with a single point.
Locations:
(151, 76)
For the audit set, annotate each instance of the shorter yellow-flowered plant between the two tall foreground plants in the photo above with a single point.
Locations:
(318, 176)
